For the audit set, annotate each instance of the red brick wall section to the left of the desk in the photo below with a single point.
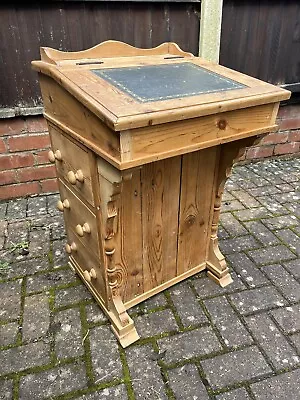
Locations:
(24, 165)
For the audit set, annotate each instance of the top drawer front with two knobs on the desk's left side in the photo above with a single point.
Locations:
(72, 163)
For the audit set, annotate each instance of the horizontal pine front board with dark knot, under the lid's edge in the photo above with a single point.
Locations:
(154, 143)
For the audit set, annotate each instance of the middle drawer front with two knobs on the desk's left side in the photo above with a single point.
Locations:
(79, 218)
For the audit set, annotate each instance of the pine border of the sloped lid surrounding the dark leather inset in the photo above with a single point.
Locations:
(130, 113)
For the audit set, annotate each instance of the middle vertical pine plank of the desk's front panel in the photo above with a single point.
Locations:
(160, 198)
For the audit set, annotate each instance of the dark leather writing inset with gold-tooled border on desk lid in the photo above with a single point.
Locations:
(167, 81)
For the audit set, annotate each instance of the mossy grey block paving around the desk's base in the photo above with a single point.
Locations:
(198, 341)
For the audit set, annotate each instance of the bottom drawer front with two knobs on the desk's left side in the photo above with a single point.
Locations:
(89, 266)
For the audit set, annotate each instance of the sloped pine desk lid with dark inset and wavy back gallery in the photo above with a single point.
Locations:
(129, 87)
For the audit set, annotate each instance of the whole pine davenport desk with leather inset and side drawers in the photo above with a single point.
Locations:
(143, 141)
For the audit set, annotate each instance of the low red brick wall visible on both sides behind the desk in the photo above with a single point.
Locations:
(24, 144)
